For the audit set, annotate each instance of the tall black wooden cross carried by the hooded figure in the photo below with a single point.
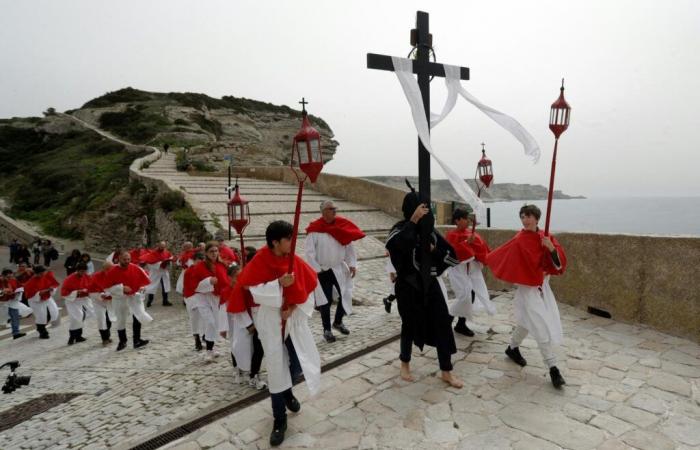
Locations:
(421, 40)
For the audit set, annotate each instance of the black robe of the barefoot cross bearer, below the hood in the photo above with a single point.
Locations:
(424, 310)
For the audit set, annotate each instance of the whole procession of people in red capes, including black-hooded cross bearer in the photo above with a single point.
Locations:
(261, 300)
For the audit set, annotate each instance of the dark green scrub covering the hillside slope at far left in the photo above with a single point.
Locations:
(52, 179)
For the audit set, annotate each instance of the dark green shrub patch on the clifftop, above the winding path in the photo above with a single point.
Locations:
(134, 124)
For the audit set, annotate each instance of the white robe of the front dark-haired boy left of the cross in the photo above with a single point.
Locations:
(268, 322)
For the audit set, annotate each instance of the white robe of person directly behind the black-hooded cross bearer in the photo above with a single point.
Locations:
(464, 278)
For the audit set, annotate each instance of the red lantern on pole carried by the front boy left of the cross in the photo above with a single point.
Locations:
(306, 162)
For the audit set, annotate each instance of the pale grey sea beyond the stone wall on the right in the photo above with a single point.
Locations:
(663, 216)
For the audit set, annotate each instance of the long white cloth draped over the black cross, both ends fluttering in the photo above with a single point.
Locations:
(404, 71)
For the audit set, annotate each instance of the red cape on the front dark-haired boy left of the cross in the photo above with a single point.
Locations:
(266, 267)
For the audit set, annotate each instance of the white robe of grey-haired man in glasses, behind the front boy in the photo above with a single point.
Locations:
(323, 252)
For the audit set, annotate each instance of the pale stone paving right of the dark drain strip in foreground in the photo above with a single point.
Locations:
(627, 387)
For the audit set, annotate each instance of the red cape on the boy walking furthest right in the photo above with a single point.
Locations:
(523, 259)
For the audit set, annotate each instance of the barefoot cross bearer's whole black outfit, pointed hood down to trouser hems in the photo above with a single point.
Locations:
(425, 319)
